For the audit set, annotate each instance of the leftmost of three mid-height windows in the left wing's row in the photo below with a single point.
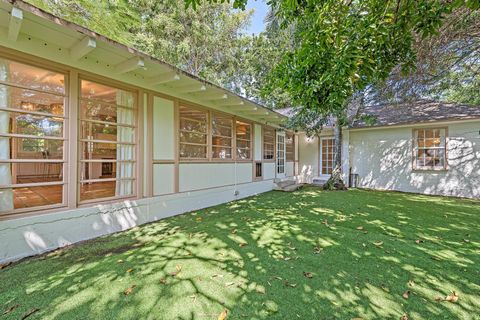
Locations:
(193, 133)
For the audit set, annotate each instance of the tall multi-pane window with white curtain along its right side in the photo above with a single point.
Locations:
(107, 141)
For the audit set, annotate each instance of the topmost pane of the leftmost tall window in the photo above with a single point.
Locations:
(32, 77)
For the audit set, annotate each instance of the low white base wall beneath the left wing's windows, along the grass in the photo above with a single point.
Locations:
(26, 236)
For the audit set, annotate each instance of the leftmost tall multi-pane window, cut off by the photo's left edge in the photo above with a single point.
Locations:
(32, 137)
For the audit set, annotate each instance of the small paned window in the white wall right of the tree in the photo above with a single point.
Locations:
(429, 149)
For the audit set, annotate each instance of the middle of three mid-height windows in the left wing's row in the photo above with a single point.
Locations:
(222, 137)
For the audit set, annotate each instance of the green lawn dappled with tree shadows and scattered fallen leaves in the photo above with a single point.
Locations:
(309, 255)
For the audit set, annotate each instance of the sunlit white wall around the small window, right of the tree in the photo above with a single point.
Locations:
(383, 160)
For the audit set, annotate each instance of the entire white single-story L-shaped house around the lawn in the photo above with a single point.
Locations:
(96, 137)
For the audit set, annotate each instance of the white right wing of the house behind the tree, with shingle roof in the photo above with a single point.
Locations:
(426, 147)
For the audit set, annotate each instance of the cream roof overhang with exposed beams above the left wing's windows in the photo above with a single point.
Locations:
(28, 29)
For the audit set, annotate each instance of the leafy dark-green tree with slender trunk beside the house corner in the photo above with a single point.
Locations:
(342, 47)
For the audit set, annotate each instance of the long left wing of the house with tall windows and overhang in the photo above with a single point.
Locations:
(96, 137)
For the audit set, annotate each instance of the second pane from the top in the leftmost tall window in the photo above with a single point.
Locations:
(29, 100)
